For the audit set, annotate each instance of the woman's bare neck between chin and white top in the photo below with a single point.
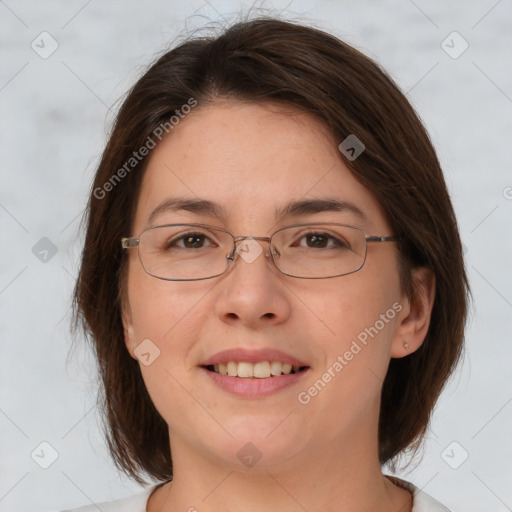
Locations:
(346, 477)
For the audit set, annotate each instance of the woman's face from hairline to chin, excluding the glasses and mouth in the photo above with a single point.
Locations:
(252, 161)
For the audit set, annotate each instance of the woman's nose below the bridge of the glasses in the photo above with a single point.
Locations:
(252, 292)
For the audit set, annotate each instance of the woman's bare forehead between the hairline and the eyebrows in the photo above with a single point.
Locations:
(251, 160)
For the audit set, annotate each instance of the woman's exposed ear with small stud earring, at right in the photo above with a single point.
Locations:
(415, 315)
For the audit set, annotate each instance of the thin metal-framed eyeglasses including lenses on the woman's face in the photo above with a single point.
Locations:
(190, 252)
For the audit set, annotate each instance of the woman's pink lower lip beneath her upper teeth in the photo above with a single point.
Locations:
(254, 387)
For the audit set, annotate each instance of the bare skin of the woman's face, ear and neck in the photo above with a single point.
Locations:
(252, 158)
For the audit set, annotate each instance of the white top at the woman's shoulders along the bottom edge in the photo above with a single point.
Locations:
(422, 502)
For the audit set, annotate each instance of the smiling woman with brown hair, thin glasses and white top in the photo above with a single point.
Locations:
(272, 278)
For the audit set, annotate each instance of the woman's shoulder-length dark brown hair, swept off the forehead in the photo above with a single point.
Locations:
(259, 61)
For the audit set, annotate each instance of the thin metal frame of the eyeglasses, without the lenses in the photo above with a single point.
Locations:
(134, 241)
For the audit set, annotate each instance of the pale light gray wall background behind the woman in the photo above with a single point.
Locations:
(55, 113)
